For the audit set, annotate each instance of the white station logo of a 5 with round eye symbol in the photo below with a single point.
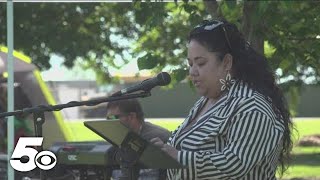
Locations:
(44, 160)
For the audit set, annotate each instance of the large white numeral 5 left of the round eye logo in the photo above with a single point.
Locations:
(22, 150)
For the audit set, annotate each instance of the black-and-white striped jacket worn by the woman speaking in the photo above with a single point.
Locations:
(240, 137)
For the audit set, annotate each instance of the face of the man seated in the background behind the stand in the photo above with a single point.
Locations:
(129, 119)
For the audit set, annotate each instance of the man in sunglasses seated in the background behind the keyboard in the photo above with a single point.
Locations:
(130, 113)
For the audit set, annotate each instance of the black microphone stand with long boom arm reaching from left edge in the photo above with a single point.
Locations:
(39, 117)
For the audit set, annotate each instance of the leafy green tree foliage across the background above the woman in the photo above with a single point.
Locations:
(105, 35)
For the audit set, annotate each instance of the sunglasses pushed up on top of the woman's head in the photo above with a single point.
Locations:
(211, 25)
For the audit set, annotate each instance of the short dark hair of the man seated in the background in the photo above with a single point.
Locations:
(128, 106)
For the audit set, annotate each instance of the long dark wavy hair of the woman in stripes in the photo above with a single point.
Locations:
(248, 66)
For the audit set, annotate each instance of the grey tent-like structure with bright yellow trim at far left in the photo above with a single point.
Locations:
(28, 80)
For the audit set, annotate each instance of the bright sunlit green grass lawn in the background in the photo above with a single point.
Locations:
(305, 160)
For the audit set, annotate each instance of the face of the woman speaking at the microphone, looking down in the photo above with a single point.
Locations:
(205, 70)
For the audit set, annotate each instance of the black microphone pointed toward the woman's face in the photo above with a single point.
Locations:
(162, 79)
